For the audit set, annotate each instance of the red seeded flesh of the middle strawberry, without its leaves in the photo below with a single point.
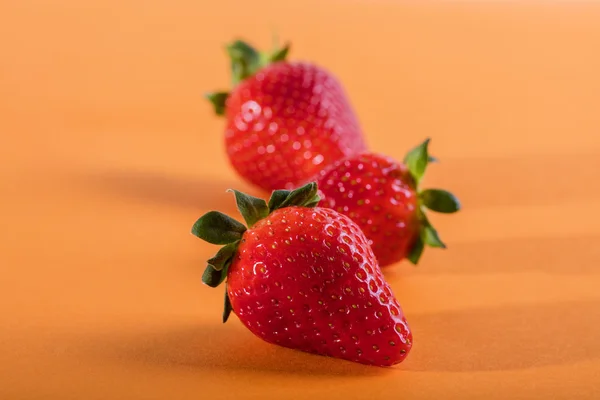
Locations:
(379, 194)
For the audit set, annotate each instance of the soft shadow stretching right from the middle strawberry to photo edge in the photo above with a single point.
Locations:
(554, 255)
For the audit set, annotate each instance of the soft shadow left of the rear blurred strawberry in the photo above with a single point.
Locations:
(170, 190)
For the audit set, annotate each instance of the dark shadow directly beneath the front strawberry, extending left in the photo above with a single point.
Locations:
(212, 346)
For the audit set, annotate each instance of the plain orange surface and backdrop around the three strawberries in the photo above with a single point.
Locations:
(110, 153)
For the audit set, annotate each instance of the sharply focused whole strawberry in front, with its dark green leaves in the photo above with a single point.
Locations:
(304, 277)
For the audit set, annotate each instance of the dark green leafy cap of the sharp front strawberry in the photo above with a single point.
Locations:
(217, 228)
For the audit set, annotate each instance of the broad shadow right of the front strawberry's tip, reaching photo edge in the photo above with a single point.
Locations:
(506, 338)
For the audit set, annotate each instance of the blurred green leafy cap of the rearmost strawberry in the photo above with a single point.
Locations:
(245, 61)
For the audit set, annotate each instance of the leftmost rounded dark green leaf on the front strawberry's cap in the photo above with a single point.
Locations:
(218, 228)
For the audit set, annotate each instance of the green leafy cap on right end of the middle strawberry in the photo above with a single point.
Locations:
(437, 200)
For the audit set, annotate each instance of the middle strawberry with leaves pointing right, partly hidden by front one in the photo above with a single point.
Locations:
(382, 196)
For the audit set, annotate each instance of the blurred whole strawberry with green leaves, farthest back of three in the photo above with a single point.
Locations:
(285, 120)
